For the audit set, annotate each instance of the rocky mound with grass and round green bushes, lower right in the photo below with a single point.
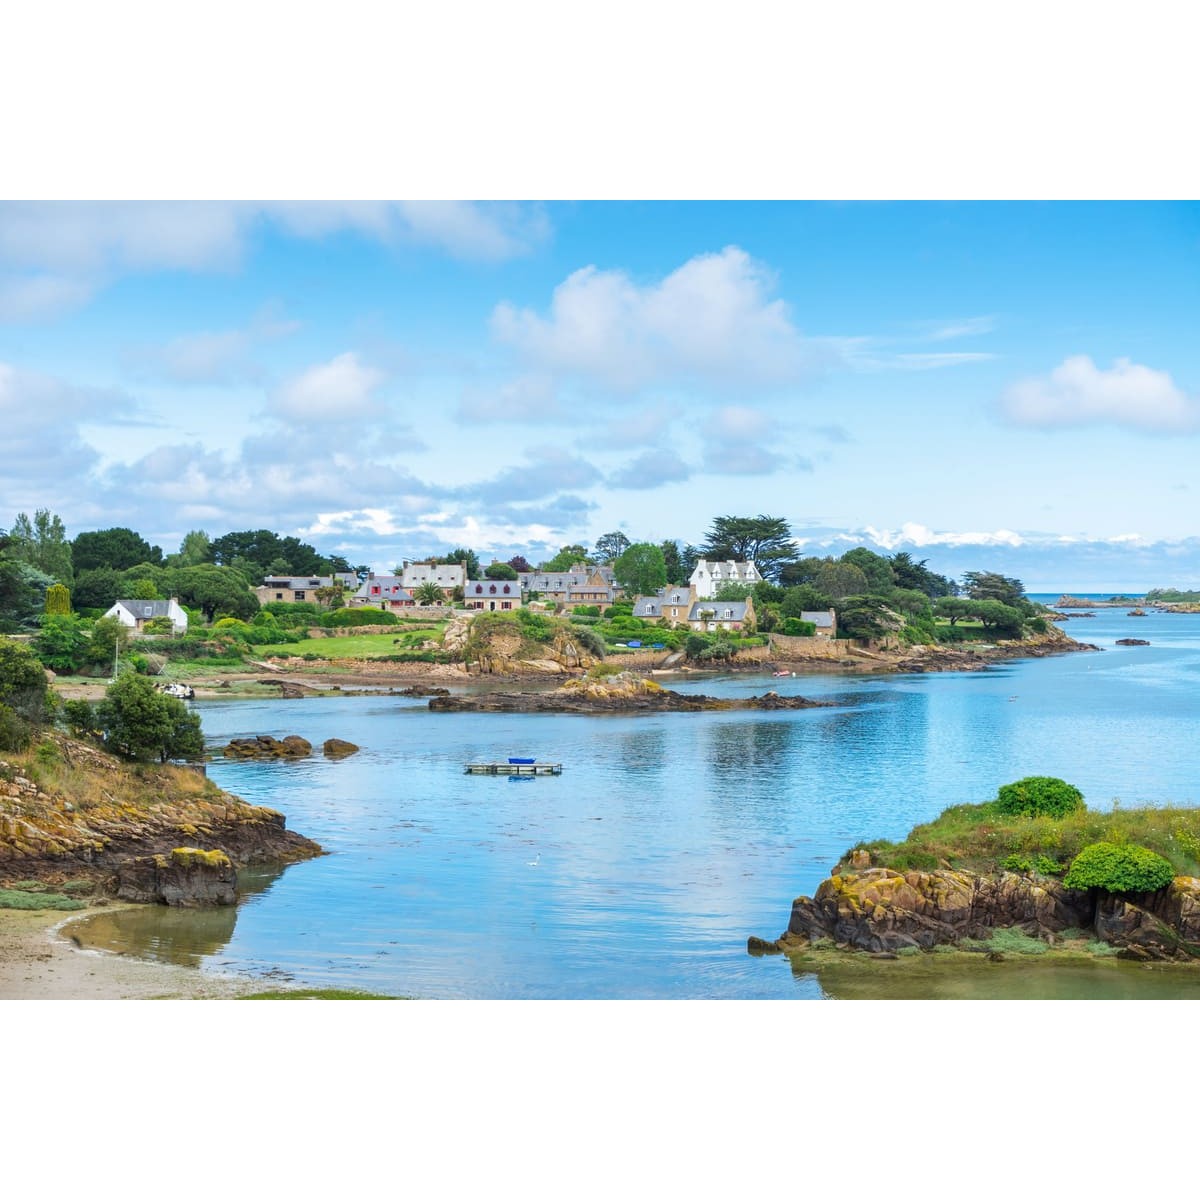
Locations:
(1031, 871)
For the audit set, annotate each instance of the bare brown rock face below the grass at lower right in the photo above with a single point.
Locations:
(883, 911)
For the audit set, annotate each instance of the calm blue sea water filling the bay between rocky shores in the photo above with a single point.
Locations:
(668, 841)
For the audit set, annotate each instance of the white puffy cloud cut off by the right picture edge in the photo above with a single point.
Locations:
(1078, 393)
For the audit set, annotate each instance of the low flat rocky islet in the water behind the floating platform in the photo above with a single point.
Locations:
(625, 693)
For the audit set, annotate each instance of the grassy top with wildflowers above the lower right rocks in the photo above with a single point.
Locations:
(980, 838)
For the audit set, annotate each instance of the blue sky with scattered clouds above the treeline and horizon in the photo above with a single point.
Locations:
(991, 386)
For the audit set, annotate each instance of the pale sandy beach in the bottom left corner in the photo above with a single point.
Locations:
(38, 962)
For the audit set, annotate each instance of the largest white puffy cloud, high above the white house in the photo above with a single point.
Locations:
(710, 321)
